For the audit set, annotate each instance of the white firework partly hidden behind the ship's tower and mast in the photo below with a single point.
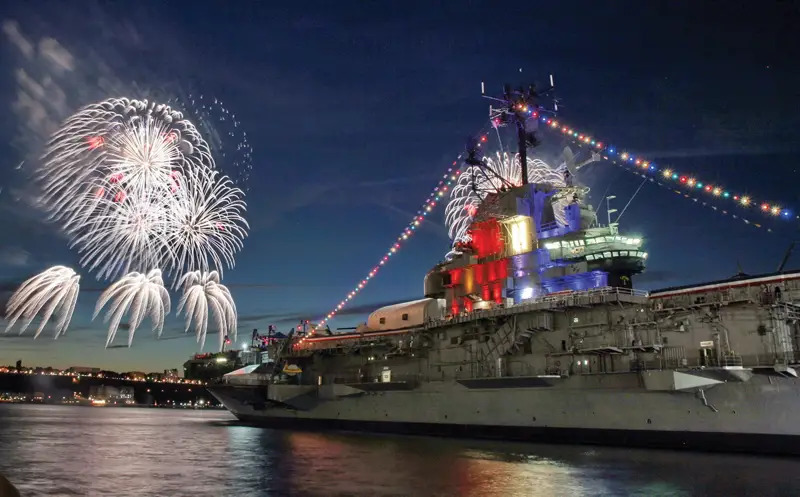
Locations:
(476, 182)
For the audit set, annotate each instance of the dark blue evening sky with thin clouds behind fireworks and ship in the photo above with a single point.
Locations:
(355, 109)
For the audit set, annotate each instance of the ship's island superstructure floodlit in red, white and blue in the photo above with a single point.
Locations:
(518, 251)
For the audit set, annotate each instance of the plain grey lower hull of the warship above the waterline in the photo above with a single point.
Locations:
(757, 416)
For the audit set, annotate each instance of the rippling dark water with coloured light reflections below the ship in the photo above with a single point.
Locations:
(63, 451)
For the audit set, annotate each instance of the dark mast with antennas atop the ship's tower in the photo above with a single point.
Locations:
(521, 108)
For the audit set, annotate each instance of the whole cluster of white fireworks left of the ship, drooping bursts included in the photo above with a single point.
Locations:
(134, 187)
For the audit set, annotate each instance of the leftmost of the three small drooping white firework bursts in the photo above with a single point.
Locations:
(53, 291)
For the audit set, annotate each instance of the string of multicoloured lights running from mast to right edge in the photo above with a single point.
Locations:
(689, 182)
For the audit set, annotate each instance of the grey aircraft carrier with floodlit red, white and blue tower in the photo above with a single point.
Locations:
(532, 330)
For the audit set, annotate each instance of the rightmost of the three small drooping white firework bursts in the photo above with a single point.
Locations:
(203, 294)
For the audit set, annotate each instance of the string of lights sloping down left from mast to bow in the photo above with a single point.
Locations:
(433, 200)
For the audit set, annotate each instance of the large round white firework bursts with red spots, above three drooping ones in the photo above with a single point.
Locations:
(133, 185)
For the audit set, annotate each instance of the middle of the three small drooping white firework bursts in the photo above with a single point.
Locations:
(140, 294)
